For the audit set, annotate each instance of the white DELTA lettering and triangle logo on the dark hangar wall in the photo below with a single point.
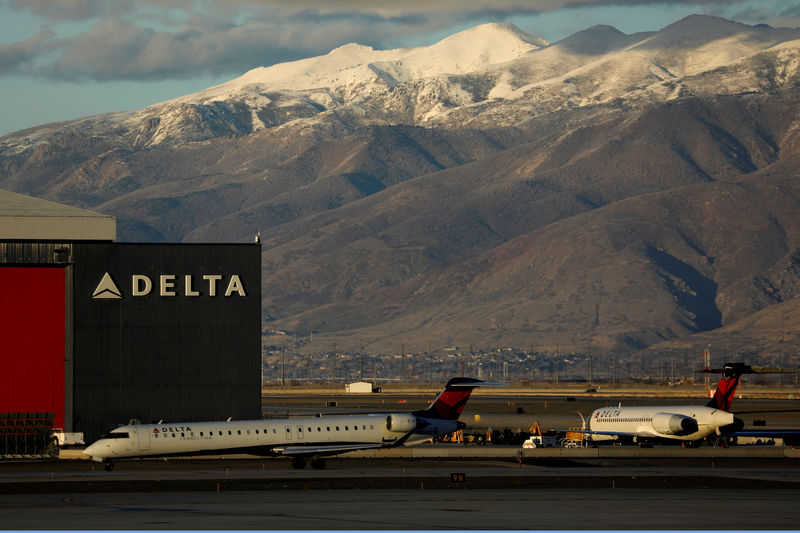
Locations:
(168, 285)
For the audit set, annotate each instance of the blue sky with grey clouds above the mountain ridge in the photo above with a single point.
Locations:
(63, 59)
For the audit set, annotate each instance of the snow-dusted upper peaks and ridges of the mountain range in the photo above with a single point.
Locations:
(490, 74)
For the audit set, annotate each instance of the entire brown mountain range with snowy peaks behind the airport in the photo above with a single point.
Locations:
(611, 192)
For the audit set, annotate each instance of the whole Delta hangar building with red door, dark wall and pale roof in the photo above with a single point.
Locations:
(100, 332)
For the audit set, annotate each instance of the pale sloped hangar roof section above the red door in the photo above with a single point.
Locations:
(27, 218)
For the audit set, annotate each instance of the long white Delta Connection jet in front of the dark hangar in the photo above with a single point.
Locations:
(301, 438)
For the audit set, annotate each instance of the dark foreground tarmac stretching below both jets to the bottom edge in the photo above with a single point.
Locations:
(614, 488)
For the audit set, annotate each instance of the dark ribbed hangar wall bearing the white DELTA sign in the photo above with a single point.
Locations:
(185, 348)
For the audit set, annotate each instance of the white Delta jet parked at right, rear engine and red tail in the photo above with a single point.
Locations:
(688, 423)
